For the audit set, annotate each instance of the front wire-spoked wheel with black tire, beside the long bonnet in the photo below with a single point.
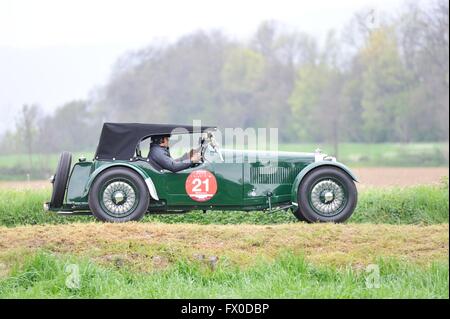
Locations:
(312, 192)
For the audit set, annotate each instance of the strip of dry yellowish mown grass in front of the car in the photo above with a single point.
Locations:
(138, 244)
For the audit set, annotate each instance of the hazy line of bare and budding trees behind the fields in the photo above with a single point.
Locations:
(382, 79)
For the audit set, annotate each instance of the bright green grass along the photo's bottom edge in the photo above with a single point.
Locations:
(44, 275)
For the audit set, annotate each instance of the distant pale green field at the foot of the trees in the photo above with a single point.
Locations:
(17, 167)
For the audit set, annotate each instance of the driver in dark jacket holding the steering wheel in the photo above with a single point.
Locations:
(160, 155)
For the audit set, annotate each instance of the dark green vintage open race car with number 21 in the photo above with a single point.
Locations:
(121, 184)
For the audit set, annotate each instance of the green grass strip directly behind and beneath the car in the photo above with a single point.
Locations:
(413, 205)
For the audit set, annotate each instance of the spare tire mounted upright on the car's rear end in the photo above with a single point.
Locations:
(60, 180)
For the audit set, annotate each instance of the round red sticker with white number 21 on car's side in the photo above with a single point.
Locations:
(201, 185)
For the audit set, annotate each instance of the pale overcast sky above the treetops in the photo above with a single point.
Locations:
(54, 51)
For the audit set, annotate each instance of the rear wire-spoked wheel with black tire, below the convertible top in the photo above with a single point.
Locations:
(126, 182)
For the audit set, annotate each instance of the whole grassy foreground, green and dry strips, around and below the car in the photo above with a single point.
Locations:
(396, 245)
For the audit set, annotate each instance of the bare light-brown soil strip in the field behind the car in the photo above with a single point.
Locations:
(368, 177)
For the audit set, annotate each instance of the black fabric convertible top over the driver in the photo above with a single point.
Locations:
(119, 140)
